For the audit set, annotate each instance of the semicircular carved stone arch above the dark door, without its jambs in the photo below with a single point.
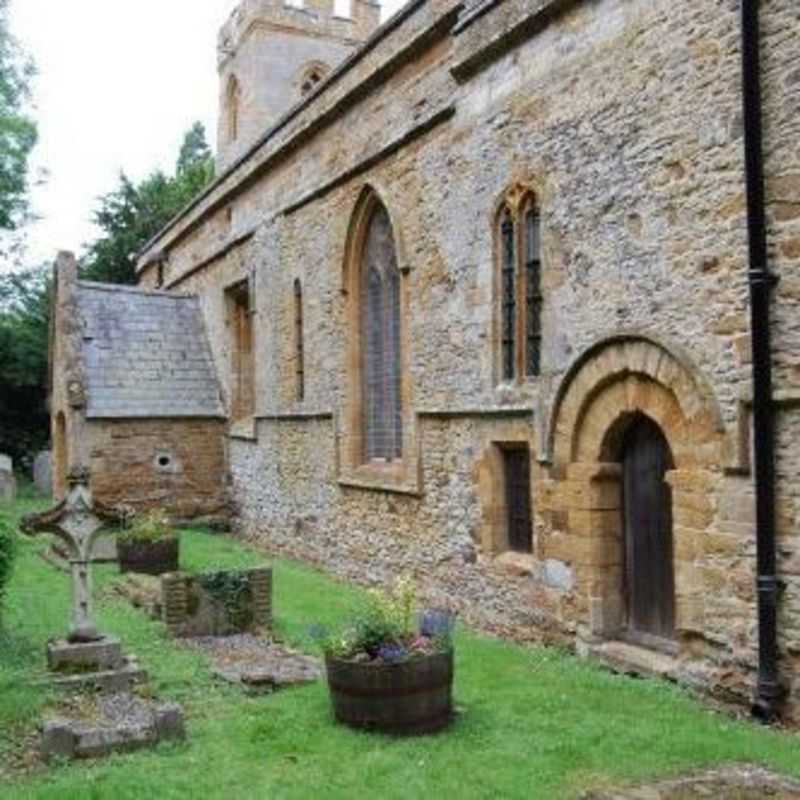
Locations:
(625, 373)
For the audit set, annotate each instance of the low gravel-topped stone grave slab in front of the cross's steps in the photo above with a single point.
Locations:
(120, 722)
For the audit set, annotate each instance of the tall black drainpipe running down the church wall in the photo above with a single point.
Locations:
(769, 692)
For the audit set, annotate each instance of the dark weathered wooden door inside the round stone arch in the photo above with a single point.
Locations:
(647, 504)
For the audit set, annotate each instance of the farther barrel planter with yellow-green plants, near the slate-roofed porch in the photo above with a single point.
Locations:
(148, 544)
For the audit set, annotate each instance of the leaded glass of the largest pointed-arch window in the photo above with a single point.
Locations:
(381, 341)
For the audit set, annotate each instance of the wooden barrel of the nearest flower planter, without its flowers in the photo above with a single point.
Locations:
(410, 697)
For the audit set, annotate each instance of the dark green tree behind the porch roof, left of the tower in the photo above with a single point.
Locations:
(133, 213)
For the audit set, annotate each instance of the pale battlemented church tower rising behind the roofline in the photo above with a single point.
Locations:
(271, 54)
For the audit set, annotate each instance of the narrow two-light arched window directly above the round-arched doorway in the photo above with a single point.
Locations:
(519, 286)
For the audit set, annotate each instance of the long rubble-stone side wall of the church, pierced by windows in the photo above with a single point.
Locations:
(623, 117)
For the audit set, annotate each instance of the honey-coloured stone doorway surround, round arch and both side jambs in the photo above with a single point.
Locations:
(598, 410)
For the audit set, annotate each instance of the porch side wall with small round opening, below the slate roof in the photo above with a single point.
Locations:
(175, 464)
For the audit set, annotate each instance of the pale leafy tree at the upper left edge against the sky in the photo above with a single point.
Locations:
(17, 131)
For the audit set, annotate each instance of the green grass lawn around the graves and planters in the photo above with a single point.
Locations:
(533, 723)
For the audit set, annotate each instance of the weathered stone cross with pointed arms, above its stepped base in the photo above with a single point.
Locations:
(77, 521)
